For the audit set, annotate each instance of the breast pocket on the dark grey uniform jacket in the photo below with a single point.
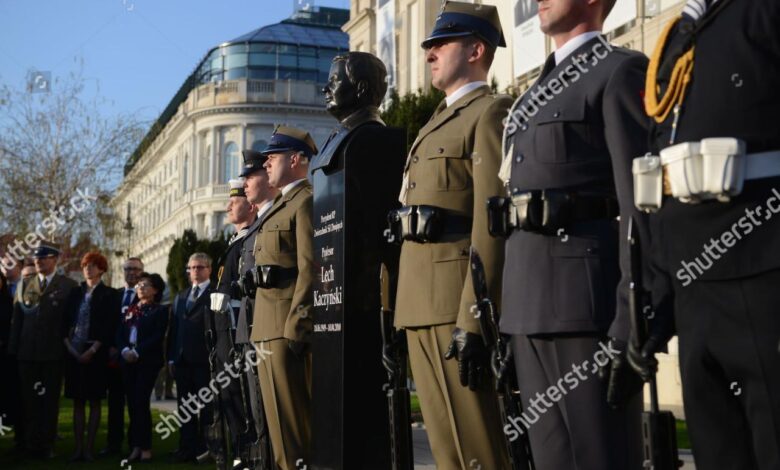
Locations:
(559, 131)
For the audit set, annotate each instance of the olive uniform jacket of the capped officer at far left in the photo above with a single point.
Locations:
(40, 320)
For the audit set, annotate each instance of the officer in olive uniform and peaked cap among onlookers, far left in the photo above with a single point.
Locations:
(39, 324)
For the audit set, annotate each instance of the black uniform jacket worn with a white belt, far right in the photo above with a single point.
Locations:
(744, 104)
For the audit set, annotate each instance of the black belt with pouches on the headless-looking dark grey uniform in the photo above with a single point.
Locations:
(547, 211)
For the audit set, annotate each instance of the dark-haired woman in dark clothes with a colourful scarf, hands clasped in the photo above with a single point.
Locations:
(140, 342)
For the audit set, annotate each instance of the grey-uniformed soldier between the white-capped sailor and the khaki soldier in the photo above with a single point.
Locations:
(259, 193)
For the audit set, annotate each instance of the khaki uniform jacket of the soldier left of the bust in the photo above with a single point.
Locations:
(285, 239)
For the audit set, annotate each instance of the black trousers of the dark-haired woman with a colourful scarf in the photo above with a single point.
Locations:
(139, 381)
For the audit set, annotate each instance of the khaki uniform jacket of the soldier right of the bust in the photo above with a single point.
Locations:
(452, 165)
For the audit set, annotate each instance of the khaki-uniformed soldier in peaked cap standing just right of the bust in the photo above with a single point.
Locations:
(449, 174)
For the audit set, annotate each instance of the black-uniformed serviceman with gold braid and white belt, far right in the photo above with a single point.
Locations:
(715, 247)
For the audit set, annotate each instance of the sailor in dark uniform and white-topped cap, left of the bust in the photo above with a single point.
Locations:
(241, 214)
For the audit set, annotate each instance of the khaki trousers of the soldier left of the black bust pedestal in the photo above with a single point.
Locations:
(285, 385)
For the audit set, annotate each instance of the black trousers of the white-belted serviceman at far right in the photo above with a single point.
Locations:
(728, 338)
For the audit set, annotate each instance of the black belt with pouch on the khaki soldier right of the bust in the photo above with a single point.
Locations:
(425, 224)
